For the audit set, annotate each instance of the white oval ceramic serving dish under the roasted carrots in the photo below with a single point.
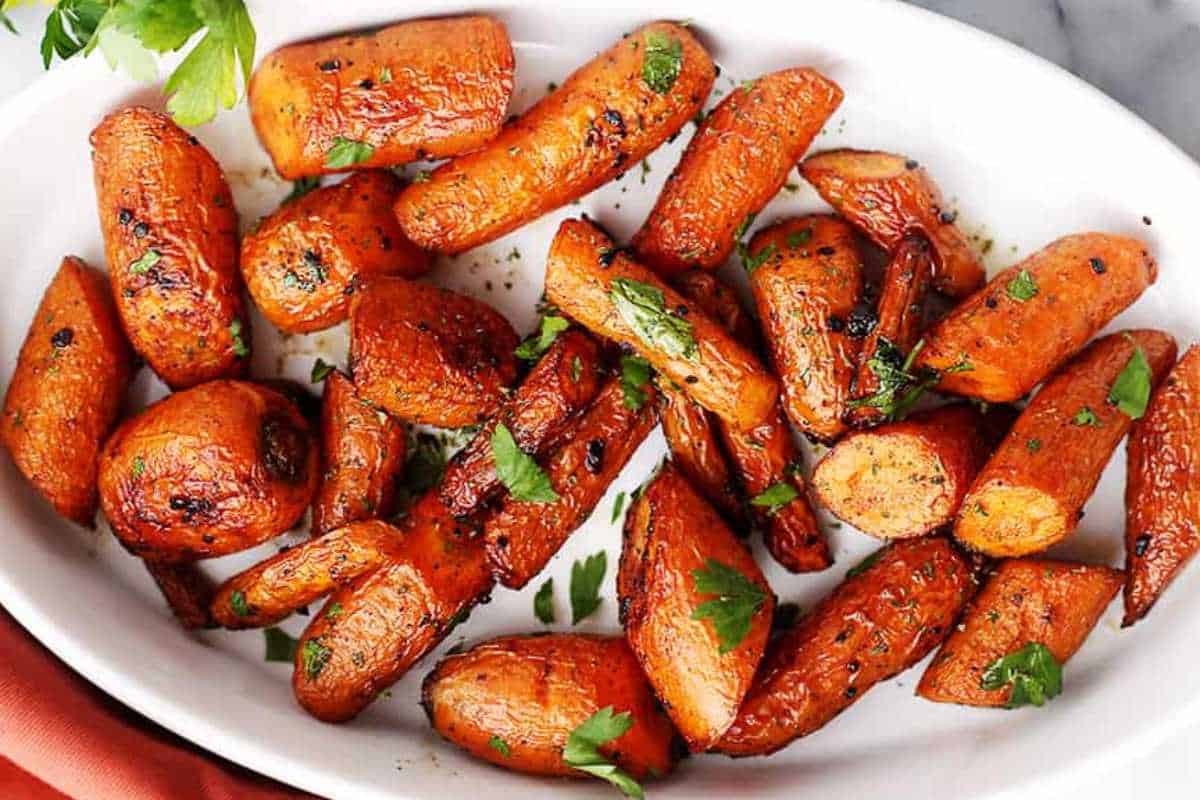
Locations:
(1025, 153)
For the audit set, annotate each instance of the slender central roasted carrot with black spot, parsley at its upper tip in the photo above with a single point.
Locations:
(524, 536)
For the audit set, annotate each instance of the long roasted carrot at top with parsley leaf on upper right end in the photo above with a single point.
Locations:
(604, 119)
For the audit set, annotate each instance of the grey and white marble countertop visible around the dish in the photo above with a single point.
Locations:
(1145, 55)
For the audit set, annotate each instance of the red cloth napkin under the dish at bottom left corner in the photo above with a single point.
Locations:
(63, 738)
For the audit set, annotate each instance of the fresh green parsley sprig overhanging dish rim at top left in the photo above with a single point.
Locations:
(133, 33)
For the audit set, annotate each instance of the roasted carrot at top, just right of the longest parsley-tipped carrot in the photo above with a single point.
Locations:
(736, 163)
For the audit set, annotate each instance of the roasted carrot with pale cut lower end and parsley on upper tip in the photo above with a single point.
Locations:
(1030, 494)
